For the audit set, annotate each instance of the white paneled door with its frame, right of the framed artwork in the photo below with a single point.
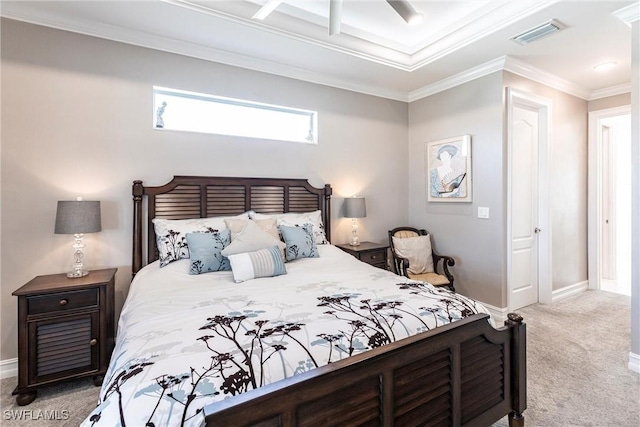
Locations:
(528, 227)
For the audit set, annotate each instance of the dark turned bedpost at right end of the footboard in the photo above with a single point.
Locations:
(519, 368)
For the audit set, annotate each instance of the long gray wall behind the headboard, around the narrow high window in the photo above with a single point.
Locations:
(77, 120)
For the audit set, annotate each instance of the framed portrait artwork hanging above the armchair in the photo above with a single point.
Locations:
(449, 170)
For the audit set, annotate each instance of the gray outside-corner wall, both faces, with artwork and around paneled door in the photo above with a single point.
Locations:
(479, 245)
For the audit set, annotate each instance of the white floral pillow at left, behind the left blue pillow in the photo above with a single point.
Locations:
(170, 234)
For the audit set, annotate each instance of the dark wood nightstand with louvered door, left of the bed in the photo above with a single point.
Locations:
(66, 329)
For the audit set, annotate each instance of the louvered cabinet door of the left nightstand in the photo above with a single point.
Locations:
(63, 347)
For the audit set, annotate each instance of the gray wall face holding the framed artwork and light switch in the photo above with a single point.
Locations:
(477, 244)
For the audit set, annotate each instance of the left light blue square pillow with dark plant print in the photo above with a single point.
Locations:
(205, 251)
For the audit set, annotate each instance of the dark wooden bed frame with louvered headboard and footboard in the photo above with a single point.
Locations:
(466, 373)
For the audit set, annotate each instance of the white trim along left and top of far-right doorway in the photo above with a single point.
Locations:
(594, 196)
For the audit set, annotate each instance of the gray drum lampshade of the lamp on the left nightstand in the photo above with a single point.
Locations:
(78, 217)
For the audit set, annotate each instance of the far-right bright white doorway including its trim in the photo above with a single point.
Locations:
(610, 200)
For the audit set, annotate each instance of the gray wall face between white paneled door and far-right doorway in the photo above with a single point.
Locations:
(567, 181)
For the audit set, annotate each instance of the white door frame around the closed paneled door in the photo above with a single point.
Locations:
(545, 111)
